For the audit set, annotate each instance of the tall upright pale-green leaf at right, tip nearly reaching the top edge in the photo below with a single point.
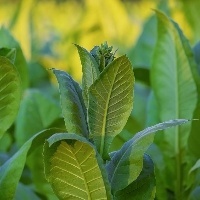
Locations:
(172, 79)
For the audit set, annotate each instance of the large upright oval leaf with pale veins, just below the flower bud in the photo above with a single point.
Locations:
(110, 103)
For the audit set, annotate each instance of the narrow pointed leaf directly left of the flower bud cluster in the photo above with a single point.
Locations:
(90, 71)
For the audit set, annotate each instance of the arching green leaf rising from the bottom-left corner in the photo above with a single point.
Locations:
(11, 170)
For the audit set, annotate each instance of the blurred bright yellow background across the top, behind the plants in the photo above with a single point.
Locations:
(47, 29)
